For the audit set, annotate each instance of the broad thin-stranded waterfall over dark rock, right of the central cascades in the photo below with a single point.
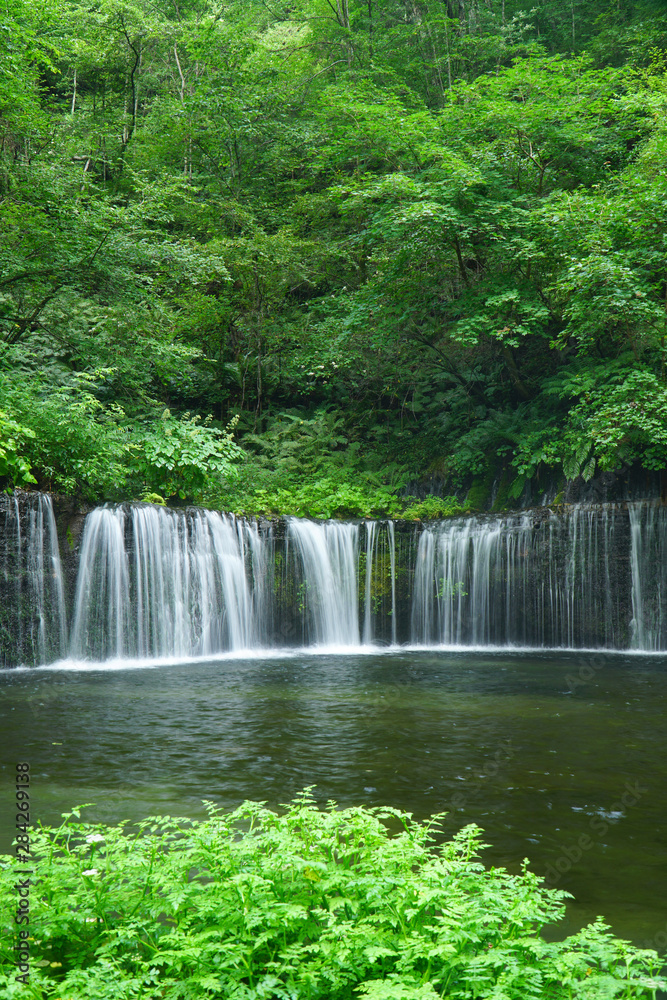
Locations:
(524, 580)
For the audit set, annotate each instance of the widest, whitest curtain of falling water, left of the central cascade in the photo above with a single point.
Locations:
(155, 583)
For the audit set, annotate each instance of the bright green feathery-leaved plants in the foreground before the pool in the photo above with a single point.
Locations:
(297, 906)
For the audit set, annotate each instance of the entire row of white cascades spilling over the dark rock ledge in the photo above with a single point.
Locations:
(155, 583)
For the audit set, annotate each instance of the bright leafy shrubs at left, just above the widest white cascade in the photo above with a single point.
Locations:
(75, 443)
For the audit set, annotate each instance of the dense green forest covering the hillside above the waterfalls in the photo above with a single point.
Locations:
(406, 243)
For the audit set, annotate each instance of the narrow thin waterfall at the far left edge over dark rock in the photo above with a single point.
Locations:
(32, 592)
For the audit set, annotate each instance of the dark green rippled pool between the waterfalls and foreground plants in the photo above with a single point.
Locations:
(559, 757)
